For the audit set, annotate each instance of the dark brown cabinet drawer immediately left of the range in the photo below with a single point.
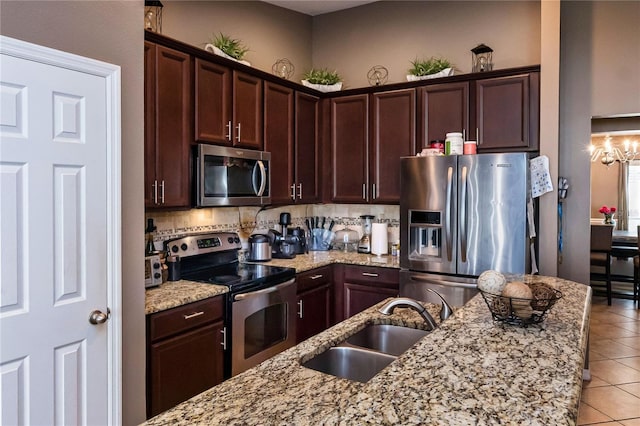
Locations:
(185, 317)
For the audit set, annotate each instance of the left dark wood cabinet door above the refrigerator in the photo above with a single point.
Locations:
(444, 109)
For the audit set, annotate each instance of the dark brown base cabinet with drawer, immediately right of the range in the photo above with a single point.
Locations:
(315, 302)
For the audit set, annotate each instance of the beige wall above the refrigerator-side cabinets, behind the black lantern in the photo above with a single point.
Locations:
(393, 33)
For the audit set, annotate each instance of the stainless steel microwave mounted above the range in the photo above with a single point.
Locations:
(232, 177)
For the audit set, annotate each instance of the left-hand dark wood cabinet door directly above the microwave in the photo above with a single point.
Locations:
(213, 103)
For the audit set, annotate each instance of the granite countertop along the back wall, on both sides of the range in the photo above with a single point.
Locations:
(172, 294)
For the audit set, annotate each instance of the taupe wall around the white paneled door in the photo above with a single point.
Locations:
(110, 31)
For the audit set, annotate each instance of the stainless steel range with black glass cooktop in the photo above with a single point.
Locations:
(260, 313)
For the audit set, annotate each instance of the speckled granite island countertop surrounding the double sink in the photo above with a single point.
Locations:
(470, 370)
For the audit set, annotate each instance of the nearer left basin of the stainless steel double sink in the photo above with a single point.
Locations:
(350, 363)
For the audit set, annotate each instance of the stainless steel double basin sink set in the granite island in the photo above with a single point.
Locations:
(366, 353)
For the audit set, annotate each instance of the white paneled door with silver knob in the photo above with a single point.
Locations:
(59, 237)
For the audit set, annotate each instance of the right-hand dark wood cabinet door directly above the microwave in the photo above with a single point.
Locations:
(247, 111)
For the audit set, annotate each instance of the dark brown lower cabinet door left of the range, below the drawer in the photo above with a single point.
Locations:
(184, 366)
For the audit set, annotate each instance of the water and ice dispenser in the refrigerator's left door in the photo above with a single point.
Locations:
(425, 235)
